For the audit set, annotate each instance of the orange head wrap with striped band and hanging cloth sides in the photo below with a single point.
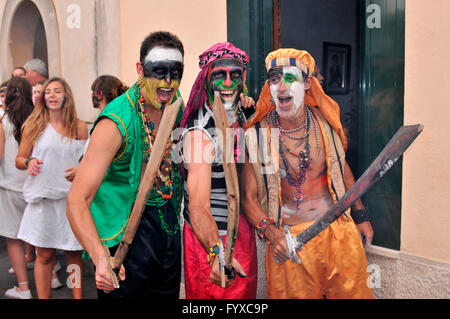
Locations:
(315, 96)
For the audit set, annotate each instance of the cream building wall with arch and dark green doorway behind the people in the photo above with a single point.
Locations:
(398, 75)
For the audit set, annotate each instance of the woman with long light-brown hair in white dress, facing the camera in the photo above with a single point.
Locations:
(53, 141)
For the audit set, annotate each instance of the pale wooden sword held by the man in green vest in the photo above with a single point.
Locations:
(162, 137)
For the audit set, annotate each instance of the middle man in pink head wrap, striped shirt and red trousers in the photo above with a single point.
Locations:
(205, 200)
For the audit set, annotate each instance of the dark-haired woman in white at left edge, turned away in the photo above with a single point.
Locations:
(12, 203)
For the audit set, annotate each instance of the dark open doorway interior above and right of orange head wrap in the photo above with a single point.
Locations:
(310, 25)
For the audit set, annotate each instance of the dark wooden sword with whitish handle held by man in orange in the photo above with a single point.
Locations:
(382, 163)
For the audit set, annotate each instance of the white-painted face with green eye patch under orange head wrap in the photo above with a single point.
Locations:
(288, 92)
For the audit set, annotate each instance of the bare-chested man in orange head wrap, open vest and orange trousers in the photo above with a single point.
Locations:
(298, 180)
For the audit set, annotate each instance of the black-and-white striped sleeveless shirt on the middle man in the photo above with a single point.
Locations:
(203, 120)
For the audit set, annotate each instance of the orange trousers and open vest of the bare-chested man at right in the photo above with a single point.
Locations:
(334, 263)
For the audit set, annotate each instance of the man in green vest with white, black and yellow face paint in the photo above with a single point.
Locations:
(106, 185)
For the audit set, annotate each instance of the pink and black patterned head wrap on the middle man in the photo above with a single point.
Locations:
(198, 95)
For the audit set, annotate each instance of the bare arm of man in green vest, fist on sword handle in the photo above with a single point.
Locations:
(105, 142)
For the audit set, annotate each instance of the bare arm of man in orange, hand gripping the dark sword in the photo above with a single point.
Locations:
(254, 213)
